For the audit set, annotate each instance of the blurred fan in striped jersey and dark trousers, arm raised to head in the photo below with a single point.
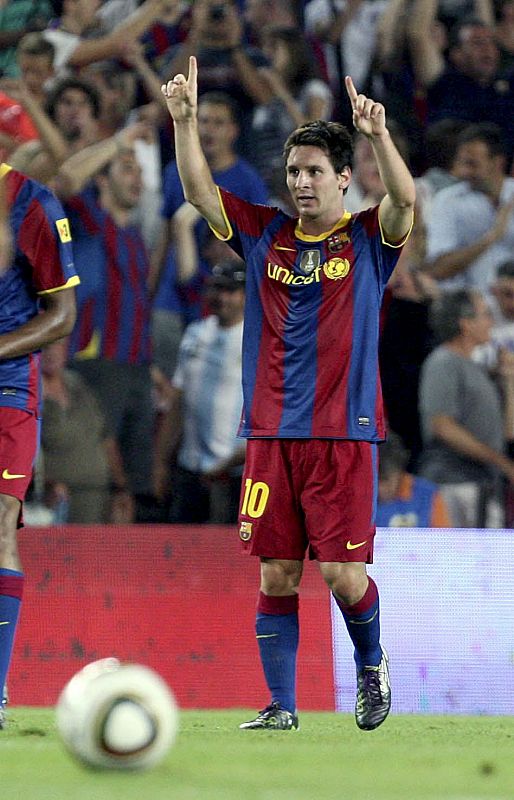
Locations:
(111, 345)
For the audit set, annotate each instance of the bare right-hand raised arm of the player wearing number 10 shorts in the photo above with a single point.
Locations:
(396, 208)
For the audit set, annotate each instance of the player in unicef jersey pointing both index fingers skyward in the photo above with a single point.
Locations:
(312, 402)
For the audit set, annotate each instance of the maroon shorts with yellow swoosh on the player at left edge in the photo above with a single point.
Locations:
(19, 437)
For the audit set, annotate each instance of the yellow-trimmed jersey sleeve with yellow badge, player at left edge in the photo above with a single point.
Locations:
(44, 238)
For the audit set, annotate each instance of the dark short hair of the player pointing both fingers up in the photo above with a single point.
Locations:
(333, 138)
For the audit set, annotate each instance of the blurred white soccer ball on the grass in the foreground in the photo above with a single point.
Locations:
(117, 716)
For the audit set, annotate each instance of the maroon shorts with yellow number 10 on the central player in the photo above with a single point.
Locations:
(309, 493)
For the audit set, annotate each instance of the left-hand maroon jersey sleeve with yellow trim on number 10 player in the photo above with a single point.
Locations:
(245, 221)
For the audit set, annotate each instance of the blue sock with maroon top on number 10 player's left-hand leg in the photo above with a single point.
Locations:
(277, 636)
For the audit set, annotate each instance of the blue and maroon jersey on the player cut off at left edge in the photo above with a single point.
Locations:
(42, 263)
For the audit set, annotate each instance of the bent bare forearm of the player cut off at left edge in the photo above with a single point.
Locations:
(55, 321)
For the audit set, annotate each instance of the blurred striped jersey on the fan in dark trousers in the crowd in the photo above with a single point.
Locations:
(113, 299)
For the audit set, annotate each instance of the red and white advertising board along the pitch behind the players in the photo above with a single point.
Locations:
(182, 600)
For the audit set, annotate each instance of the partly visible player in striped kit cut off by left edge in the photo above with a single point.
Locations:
(37, 306)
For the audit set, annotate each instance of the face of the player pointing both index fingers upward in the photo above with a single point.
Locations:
(315, 187)
